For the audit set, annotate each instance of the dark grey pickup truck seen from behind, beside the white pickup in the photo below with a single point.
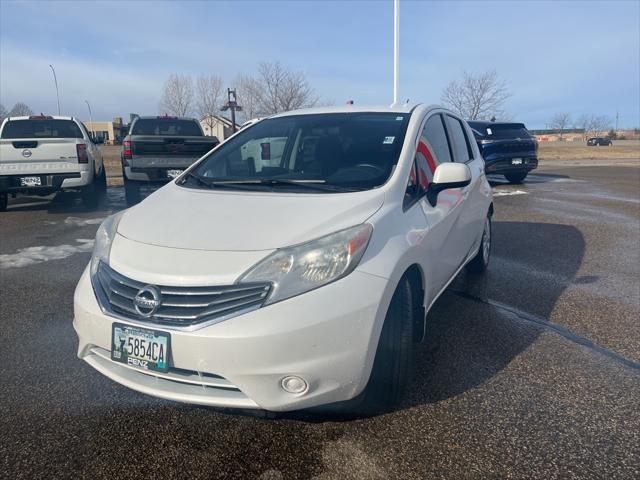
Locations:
(158, 149)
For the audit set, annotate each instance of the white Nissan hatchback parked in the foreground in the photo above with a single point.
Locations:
(293, 265)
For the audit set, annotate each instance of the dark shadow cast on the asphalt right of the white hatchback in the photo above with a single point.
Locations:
(470, 337)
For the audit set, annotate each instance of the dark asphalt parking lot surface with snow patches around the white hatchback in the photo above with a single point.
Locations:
(532, 371)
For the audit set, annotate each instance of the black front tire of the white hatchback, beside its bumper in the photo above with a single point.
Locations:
(393, 364)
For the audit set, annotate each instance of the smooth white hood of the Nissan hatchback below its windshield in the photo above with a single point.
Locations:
(196, 219)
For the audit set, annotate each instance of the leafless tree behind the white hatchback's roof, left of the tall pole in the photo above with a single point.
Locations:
(274, 89)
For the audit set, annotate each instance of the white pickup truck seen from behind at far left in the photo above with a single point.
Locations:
(43, 154)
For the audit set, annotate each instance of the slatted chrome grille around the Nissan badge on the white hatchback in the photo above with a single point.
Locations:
(180, 306)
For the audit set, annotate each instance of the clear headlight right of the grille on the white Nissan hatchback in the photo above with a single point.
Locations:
(301, 268)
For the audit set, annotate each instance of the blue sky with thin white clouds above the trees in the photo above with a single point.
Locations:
(581, 57)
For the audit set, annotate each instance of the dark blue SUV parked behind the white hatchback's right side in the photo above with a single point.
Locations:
(508, 148)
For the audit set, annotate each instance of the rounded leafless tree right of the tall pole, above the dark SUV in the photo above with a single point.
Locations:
(479, 96)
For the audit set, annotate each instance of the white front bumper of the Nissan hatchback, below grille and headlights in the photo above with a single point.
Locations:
(327, 336)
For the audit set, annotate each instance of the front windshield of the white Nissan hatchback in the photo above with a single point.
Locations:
(320, 152)
